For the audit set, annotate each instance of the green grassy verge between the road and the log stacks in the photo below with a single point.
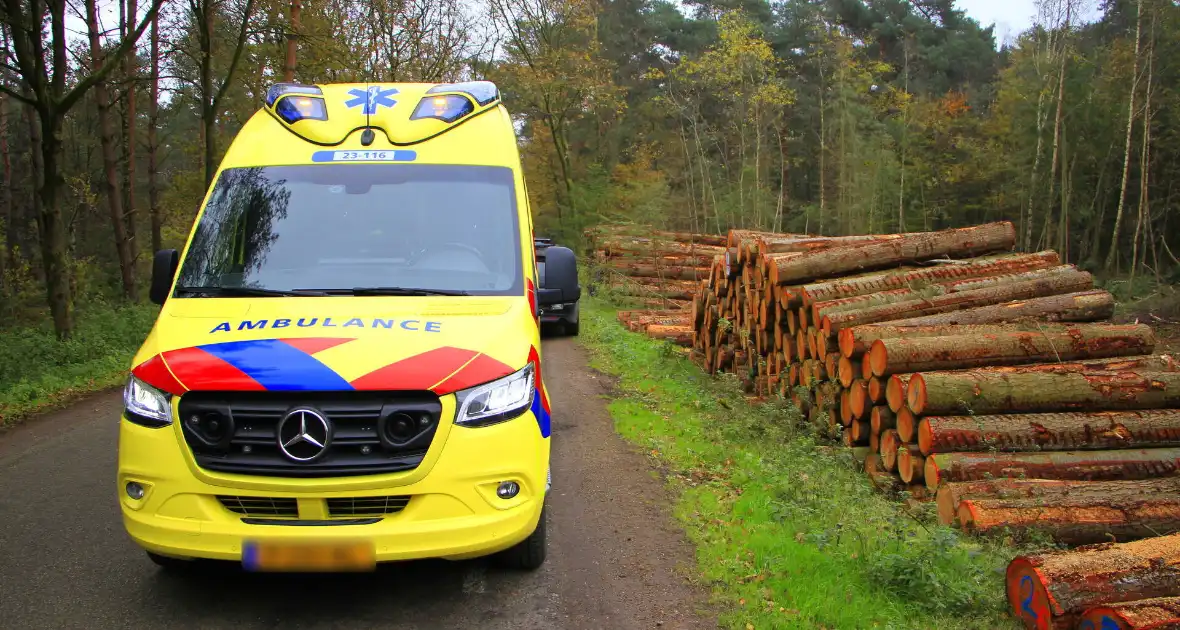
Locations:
(788, 531)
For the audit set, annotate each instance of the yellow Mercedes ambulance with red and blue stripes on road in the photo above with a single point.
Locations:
(346, 367)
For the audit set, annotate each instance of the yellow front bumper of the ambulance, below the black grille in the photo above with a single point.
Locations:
(454, 511)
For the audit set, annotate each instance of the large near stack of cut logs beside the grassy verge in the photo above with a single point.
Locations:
(987, 380)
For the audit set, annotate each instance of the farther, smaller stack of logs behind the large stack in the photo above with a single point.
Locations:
(659, 271)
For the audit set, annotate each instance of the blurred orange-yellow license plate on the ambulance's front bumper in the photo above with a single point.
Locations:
(330, 557)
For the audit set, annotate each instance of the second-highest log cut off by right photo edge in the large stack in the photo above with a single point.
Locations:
(1070, 431)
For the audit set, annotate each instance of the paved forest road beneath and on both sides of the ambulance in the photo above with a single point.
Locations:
(615, 559)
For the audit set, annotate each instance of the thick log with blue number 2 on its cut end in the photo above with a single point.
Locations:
(1054, 589)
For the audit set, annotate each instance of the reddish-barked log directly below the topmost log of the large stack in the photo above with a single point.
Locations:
(884, 281)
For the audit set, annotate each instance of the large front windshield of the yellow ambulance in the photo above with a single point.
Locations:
(338, 228)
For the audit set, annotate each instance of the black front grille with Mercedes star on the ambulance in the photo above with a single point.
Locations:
(310, 435)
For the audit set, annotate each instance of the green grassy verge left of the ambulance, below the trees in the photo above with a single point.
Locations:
(40, 373)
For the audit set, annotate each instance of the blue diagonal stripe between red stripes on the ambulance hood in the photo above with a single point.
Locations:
(279, 366)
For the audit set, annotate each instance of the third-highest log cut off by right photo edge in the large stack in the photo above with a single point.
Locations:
(1079, 465)
